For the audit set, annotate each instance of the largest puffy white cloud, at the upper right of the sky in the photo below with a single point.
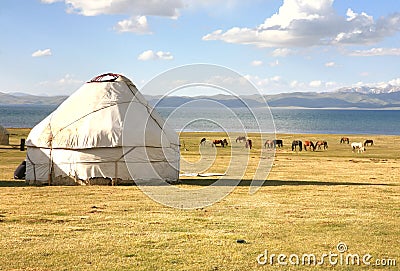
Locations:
(302, 23)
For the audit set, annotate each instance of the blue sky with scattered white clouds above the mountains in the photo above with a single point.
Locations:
(52, 47)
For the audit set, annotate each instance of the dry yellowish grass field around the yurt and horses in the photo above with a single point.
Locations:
(310, 202)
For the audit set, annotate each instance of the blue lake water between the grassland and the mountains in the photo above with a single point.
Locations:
(331, 121)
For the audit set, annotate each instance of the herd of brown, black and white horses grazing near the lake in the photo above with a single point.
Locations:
(296, 144)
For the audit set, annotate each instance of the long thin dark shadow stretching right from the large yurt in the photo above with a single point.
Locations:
(207, 182)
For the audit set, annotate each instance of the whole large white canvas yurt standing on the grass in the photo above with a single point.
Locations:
(104, 133)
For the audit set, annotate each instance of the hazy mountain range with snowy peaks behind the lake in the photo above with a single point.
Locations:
(383, 97)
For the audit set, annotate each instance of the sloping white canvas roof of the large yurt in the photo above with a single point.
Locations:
(94, 117)
